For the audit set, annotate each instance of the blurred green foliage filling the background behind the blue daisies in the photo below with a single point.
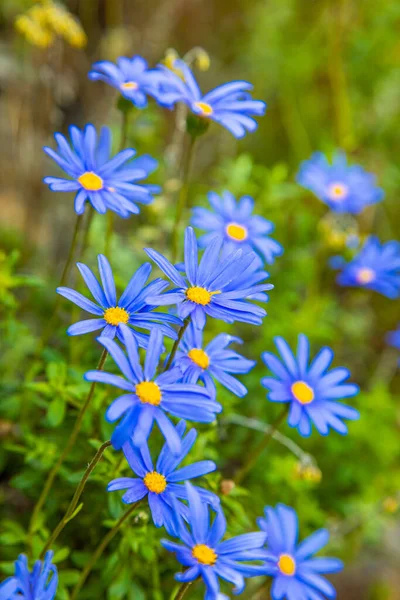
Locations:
(329, 71)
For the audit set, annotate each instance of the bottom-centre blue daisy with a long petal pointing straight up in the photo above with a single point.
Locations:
(206, 556)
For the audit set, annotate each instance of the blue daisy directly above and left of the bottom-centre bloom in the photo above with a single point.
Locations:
(162, 483)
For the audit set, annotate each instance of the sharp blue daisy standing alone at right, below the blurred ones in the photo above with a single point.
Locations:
(310, 390)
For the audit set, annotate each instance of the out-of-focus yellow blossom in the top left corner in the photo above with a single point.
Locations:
(42, 23)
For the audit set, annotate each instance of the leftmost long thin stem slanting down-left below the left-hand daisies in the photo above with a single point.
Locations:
(74, 433)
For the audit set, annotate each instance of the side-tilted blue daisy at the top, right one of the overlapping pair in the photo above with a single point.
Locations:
(230, 105)
